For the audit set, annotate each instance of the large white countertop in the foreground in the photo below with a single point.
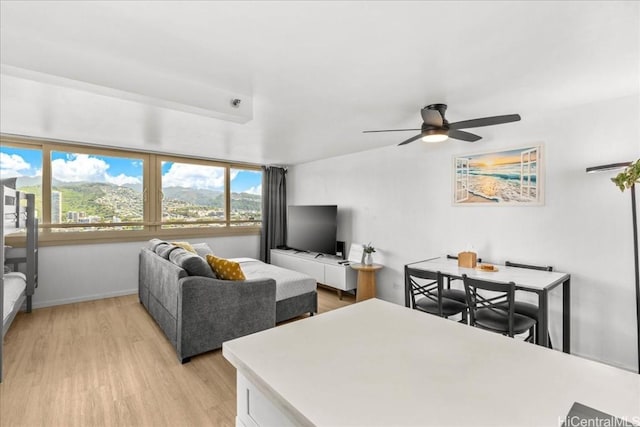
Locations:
(377, 363)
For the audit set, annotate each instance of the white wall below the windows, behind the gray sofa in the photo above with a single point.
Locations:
(84, 272)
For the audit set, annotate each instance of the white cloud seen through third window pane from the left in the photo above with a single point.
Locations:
(194, 176)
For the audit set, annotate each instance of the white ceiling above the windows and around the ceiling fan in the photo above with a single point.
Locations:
(312, 75)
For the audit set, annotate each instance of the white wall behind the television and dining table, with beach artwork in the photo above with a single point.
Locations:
(400, 199)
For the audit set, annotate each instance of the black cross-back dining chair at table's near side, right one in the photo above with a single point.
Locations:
(487, 309)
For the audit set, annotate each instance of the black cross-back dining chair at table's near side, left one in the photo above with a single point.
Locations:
(425, 289)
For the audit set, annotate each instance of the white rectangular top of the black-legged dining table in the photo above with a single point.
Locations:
(522, 277)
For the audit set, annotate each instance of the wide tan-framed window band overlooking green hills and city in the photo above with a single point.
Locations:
(85, 193)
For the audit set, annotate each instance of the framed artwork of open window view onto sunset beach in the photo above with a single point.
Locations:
(511, 177)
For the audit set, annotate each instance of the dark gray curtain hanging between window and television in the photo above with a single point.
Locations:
(274, 210)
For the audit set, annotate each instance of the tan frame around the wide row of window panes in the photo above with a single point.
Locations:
(152, 224)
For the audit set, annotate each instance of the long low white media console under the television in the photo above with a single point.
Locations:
(328, 270)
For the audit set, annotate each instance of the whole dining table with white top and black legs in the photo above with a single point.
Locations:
(529, 280)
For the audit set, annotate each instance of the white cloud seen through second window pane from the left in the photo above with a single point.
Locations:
(84, 168)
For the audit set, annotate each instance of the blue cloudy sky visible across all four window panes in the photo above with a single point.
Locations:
(69, 167)
